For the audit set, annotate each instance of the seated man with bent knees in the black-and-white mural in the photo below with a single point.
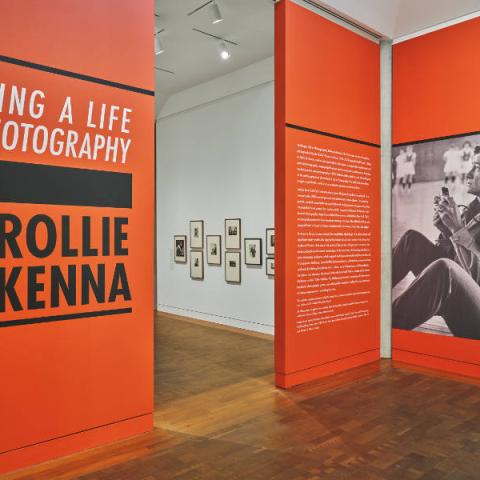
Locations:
(448, 272)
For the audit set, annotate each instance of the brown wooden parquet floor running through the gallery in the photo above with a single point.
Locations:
(219, 417)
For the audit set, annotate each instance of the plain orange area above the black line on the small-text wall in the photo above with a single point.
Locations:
(332, 77)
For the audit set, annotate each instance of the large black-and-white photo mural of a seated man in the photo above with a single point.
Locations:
(436, 236)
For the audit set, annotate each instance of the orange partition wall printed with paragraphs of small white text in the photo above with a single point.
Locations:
(327, 197)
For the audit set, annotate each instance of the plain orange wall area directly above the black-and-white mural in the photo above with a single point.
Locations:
(435, 80)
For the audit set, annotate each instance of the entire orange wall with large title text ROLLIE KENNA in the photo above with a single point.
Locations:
(76, 229)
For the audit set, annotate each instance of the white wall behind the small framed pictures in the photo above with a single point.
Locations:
(215, 160)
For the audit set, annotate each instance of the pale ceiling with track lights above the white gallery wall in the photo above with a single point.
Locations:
(194, 58)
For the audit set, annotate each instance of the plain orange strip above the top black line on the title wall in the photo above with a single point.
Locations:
(109, 39)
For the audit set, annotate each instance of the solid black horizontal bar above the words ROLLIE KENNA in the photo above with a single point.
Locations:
(49, 185)
